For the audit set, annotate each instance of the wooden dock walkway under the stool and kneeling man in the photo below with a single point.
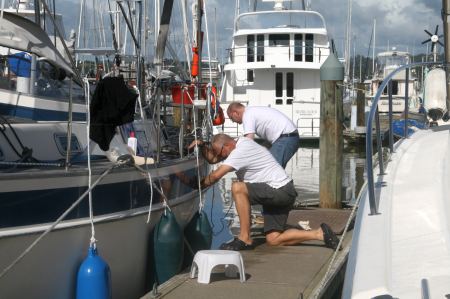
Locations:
(275, 272)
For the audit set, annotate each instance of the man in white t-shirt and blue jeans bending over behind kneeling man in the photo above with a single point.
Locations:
(269, 124)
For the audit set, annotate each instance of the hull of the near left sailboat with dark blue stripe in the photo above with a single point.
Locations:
(121, 204)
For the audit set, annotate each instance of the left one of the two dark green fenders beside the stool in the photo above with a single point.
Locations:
(168, 247)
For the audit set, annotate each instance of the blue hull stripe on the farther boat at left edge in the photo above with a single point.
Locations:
(39, 114)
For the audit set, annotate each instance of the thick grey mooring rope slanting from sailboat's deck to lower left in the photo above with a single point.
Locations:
(48, 230)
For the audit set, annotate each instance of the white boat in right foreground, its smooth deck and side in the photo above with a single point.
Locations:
(401, 240)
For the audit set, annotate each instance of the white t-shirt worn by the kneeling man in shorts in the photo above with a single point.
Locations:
(253, 163)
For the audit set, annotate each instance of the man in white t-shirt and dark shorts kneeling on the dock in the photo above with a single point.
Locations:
(261, 180)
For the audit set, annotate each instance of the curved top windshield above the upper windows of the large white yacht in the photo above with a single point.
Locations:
(280, 19)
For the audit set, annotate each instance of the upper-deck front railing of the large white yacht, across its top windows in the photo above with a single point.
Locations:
(271, 53)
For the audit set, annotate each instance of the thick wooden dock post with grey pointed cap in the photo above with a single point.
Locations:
(331, 141)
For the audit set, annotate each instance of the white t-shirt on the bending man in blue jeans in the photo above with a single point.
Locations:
(268, 123)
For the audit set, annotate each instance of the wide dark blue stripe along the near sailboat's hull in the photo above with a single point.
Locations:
(43, 206)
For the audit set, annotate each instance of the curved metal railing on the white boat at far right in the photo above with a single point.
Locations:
(374, 115)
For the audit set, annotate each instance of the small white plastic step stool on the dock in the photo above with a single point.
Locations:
(206, 260)
